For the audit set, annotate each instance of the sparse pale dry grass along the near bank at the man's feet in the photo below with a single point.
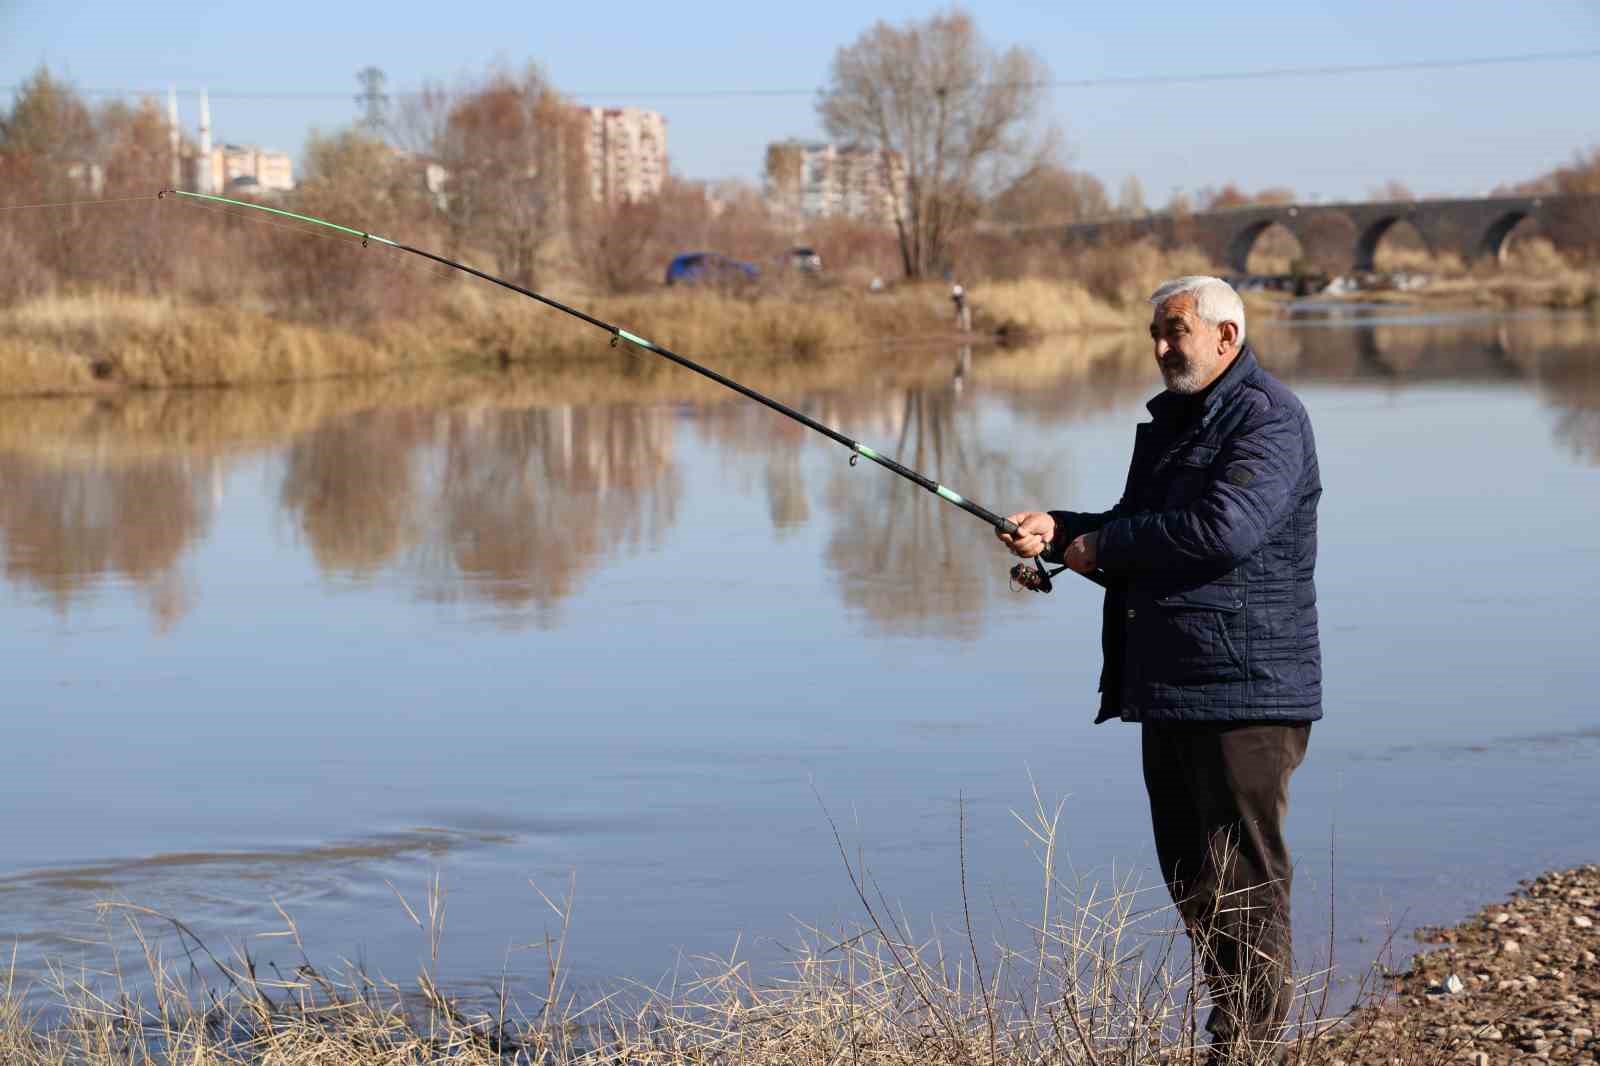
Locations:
(1100, 977)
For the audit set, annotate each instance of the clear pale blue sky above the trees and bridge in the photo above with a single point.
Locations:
(1442, 132)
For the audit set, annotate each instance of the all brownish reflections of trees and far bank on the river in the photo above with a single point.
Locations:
(505, 492)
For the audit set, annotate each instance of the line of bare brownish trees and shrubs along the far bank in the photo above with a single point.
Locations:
(498, 172)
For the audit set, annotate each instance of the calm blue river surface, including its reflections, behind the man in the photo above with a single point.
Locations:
(310, 647)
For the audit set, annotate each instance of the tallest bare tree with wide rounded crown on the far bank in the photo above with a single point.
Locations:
(951, 116)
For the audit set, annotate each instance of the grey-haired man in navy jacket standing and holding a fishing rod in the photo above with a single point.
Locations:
(1210, 639)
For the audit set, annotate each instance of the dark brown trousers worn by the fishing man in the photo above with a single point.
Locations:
(1218, 798)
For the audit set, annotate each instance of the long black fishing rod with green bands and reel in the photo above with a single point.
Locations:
(1038, 580)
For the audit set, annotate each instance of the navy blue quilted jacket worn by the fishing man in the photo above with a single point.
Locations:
(1210, 607)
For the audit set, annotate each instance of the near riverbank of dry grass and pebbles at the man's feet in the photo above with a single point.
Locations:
(1514, 984)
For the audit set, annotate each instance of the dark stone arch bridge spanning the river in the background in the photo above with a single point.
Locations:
(1340, 238)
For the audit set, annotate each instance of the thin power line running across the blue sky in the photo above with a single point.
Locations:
(1055, 84)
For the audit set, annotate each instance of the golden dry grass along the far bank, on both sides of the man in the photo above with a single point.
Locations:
(100, 342)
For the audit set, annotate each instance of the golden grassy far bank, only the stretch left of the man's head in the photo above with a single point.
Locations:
(100, 342)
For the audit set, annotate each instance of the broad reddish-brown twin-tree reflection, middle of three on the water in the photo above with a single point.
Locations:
(502, 507)
